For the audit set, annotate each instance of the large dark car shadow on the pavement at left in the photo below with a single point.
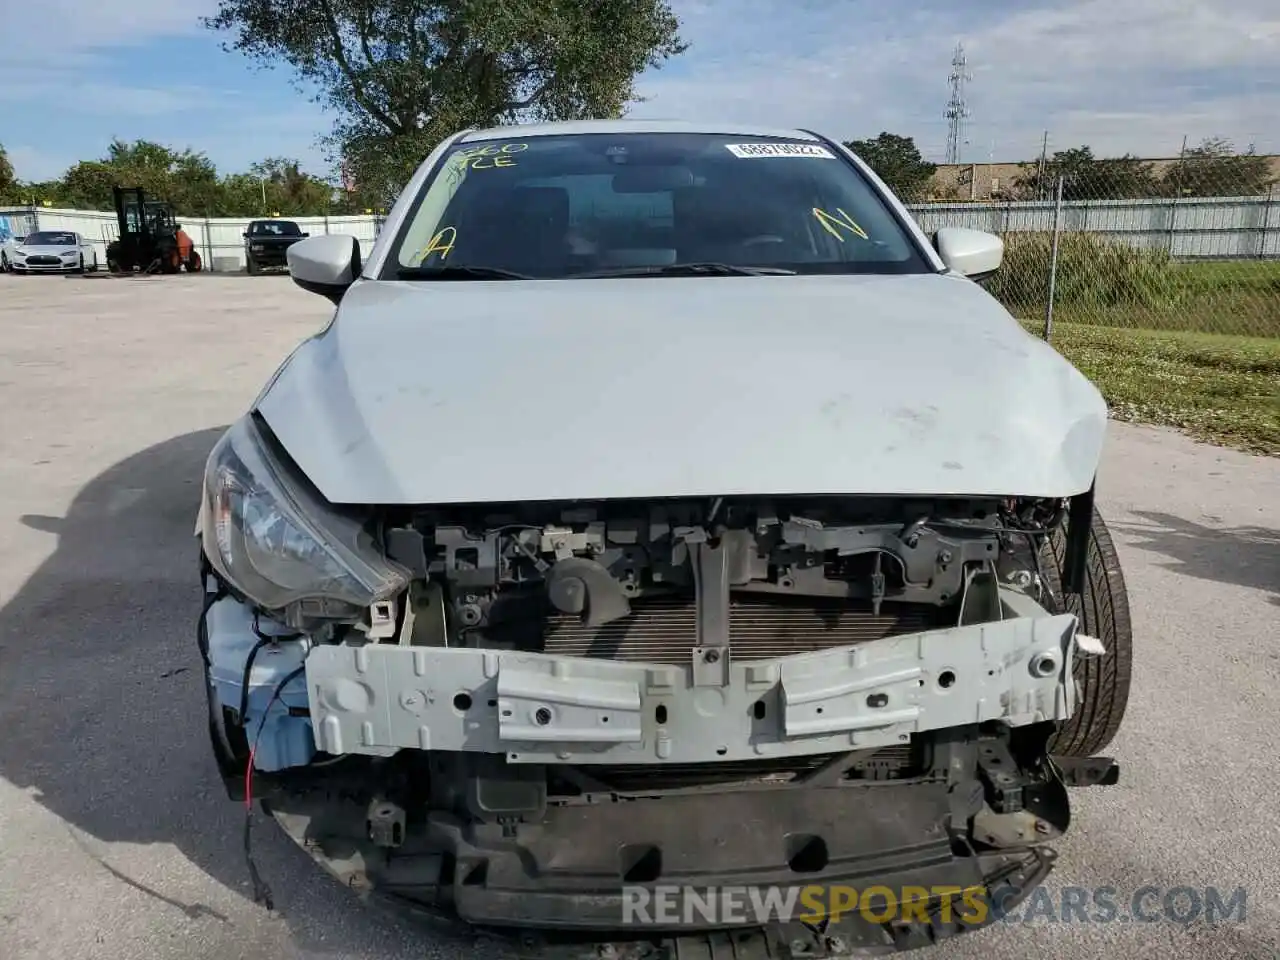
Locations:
(103, 705)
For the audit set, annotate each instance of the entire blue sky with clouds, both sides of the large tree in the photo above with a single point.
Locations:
(1121, 75)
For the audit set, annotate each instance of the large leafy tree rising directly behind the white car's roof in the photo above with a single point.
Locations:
(403, 75)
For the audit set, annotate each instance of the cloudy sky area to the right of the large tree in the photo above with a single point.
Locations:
(1126, 76)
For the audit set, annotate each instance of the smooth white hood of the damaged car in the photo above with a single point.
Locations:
(445, 392)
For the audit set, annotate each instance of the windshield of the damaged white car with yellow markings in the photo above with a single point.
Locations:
(563, 207)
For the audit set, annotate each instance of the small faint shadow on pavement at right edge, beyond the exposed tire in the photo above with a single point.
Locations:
(1245, 556)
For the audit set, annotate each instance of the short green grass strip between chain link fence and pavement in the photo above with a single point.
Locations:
(1218, 388)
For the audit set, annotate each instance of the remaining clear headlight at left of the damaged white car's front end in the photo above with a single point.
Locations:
(277, 541)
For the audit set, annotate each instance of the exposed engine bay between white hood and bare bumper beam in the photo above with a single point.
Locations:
(650, 580)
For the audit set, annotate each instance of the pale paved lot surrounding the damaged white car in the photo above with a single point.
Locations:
(117, 840)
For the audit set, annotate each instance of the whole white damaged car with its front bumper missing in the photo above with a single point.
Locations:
(662, 508)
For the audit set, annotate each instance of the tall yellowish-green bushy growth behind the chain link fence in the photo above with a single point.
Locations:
(1091, 273)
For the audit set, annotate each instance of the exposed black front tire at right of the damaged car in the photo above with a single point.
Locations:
(1101, 683)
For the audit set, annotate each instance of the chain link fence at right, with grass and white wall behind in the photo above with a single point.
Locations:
(1195, 248)
